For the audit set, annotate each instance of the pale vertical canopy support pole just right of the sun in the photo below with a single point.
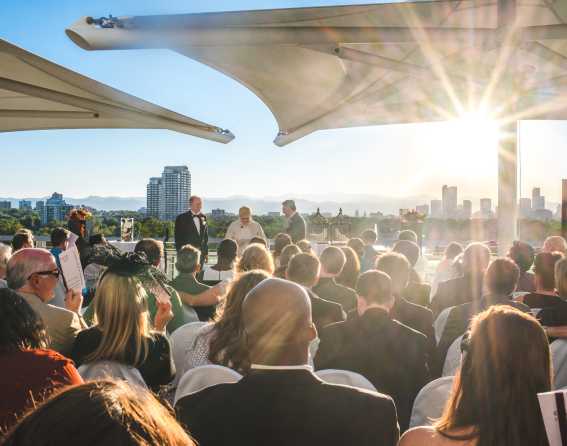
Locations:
(508, 187)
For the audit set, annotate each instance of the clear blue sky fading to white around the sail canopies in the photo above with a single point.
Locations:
(404, 160)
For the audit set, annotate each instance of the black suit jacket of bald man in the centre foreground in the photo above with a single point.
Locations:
(288, 407)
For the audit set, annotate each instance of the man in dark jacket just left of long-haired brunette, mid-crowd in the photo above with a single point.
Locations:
(332, 262)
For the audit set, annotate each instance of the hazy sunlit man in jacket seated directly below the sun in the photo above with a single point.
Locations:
(468, 287)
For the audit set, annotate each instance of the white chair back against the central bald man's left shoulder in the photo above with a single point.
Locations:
(200, 378)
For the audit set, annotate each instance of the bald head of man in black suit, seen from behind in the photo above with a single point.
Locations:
(277, 321)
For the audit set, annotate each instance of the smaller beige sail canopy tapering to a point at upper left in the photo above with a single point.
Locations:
(36, 94)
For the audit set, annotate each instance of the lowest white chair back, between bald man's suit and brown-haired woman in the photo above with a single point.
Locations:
(430, 401)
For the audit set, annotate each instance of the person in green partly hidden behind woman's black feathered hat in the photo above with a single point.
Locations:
(156, 285)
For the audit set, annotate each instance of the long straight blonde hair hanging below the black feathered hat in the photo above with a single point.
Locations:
(121, 314)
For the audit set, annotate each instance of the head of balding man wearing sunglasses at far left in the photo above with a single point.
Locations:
(26, 262)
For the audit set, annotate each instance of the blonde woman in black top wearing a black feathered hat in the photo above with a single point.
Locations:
(121, 330)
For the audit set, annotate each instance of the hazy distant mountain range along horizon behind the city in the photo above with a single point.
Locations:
(350, 203)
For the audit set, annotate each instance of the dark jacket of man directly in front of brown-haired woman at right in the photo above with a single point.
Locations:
(459, 319)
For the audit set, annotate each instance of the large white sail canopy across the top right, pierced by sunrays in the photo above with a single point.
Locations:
(345, 66)
